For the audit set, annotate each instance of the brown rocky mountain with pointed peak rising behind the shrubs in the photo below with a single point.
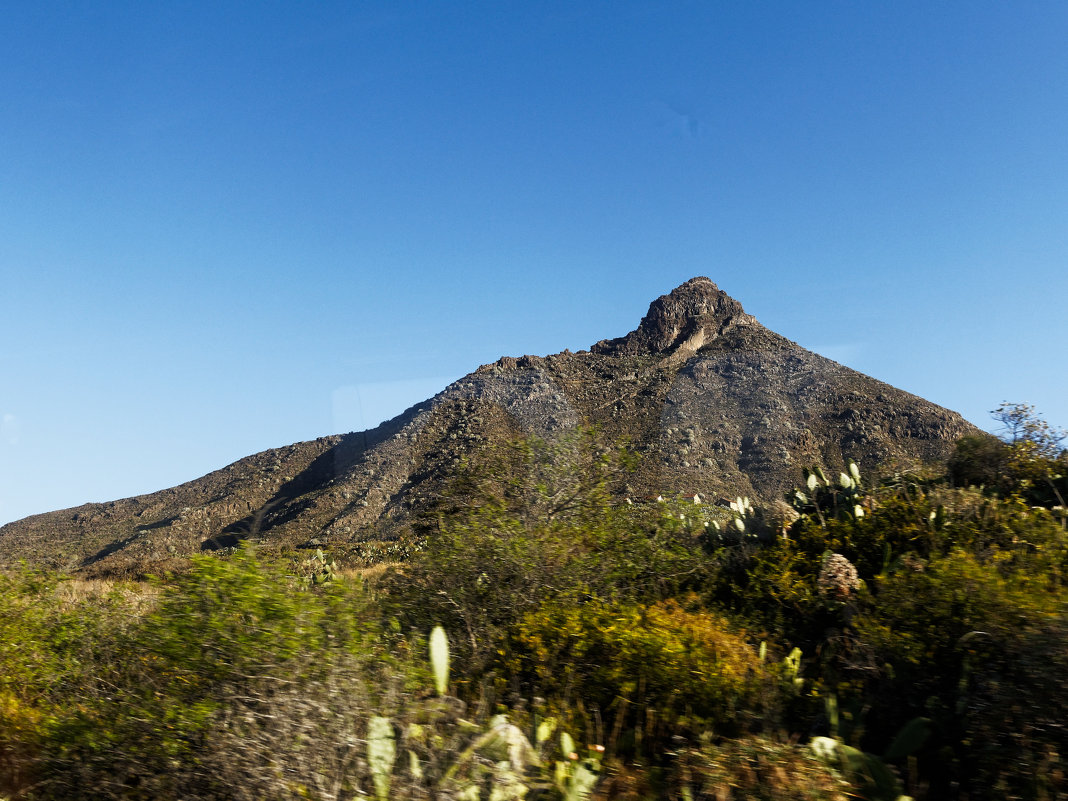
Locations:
(714, 402)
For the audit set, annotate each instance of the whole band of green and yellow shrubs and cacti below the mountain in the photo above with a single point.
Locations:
(867, 639)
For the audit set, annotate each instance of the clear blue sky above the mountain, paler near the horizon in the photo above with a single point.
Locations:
(227, 227)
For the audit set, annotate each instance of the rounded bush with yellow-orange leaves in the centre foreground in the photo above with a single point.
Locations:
(654, 670)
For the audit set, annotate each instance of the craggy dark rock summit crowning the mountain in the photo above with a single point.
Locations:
(687, 319)
